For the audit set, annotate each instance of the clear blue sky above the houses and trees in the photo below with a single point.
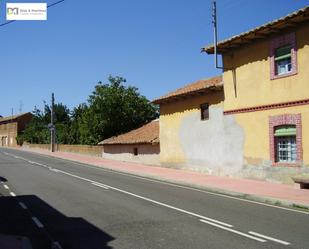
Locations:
(154, 44)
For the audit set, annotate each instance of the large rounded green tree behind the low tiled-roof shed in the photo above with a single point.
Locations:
(114, 109)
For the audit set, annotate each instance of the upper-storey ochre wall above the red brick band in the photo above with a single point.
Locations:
(252, 75)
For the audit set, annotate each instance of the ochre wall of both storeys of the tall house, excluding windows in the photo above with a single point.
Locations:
(251, 86)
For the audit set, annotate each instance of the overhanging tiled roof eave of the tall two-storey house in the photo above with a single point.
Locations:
(263, 31)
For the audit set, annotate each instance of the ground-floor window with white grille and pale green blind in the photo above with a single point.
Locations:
(285, 144)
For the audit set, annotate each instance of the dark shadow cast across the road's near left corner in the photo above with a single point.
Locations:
(70, 232)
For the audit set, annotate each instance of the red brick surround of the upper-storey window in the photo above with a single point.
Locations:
(279, 42)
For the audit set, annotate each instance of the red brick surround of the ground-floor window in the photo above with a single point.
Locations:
(286, 119)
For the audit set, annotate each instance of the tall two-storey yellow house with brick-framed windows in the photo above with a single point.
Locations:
(266, 89)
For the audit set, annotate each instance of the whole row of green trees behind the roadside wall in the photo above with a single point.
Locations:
(112, 109)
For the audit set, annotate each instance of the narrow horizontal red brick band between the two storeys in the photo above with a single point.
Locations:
(268, 107)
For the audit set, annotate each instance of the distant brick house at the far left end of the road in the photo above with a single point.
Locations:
(11, 126)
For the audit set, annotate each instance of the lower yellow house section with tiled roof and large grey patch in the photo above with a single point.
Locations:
(194, 133)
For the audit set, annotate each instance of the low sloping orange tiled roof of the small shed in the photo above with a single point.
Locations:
(147, 134)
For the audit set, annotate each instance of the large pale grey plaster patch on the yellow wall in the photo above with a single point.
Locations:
(215, 145)
